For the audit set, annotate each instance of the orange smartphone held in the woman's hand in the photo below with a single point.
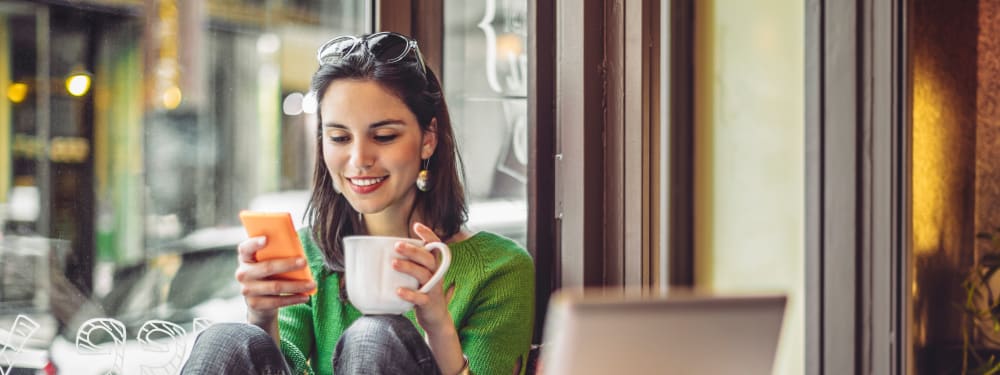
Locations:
(282, 241)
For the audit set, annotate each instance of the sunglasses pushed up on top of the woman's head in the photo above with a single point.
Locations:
(386, 47)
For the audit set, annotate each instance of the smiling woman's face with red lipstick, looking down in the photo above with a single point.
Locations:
(372, 146)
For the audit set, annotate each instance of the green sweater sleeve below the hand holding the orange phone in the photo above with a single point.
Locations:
(295, 328)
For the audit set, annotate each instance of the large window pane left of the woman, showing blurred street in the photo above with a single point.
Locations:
(137, 130)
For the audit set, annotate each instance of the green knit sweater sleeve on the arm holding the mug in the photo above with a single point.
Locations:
(498, 332)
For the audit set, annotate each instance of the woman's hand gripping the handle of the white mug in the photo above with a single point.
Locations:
(431, 308)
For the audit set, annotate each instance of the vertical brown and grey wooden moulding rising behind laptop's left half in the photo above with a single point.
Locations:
(606, 108)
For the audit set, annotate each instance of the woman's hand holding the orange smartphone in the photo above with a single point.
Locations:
(263, 295)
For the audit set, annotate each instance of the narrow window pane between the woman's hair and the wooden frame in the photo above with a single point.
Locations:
(486, 84)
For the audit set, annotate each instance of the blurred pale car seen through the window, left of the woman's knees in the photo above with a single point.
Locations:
(156, 309)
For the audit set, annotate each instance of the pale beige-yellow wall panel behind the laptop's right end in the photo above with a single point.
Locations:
(749, 152)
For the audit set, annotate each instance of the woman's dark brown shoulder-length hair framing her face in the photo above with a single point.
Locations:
(443, 207)
